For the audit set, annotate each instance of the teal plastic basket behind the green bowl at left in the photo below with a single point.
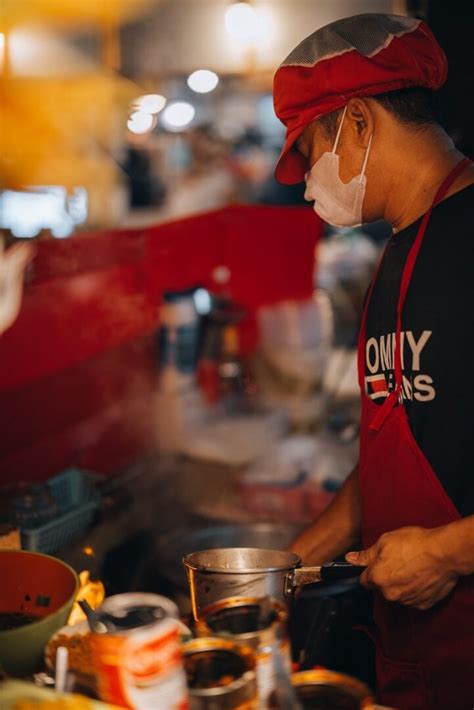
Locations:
(77, 500)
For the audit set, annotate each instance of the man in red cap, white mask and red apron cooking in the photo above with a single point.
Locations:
(357, 99)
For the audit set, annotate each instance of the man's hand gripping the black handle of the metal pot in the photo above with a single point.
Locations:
(408, 567)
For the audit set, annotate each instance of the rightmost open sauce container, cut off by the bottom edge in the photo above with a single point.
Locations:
(327, 690)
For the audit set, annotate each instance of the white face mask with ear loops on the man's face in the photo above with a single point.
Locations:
(338, 203)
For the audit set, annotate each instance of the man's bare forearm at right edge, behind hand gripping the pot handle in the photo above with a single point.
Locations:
(455, 545)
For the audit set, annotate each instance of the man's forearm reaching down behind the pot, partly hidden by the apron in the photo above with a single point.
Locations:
(335, 531)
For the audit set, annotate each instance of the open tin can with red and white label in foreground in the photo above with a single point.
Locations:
(136, 651)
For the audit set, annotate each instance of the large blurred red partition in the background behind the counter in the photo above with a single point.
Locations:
(78, 366)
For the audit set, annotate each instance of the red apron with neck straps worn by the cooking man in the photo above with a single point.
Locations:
(425, 659)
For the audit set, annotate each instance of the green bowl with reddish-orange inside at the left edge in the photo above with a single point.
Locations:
(35, 588)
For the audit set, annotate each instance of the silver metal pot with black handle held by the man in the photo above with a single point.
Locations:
(253, 572)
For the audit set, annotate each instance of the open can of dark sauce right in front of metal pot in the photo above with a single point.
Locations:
(258, 623)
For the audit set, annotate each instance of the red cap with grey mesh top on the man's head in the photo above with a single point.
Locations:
(363, 55)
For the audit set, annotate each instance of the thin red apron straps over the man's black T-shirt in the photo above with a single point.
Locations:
(397, 394)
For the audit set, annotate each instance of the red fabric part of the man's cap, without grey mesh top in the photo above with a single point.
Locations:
(305, 93)
